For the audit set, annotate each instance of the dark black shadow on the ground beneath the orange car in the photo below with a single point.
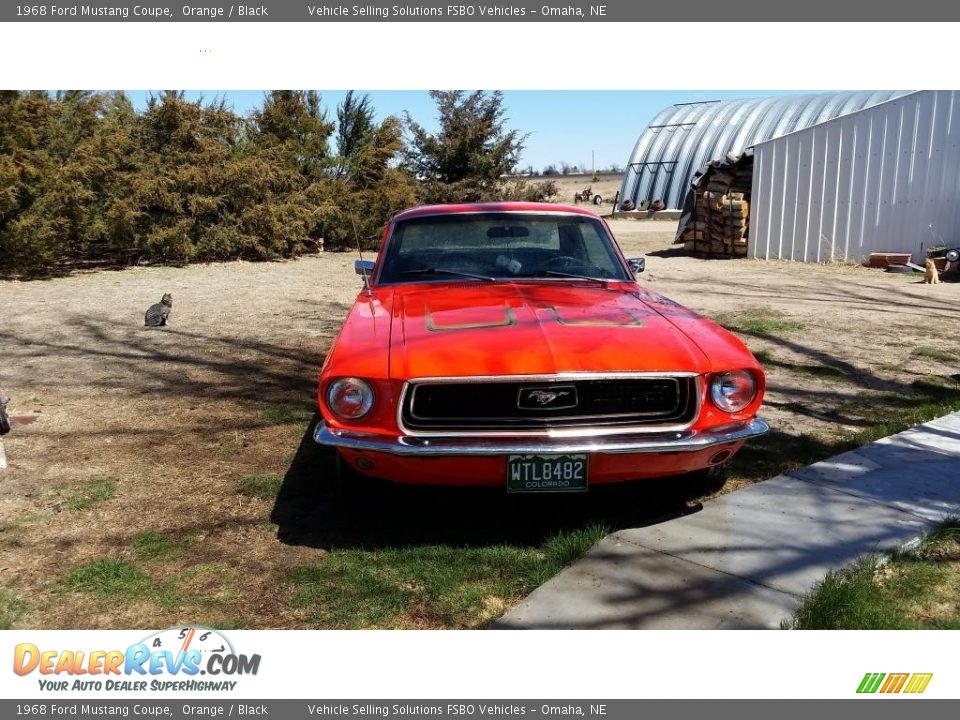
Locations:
(312, 510)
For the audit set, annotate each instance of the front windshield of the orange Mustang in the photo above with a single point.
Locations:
(500, 246)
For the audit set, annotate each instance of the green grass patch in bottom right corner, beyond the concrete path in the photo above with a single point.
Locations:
(916, 589)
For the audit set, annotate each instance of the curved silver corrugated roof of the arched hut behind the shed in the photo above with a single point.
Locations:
(683, 138)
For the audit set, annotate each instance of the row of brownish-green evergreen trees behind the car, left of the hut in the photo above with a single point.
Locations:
(85, 179)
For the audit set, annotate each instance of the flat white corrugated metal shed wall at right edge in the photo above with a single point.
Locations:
(883, 179)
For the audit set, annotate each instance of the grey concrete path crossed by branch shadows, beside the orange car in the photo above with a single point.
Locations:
(747, 558)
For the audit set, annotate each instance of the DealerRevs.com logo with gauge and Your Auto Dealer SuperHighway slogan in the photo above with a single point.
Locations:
(171, 659)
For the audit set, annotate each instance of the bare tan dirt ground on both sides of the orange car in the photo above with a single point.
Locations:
(176, 417)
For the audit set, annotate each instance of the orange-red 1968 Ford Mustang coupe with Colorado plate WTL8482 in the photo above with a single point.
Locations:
(509, 345)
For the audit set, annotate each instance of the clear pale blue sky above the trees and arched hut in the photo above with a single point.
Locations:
(577, 127)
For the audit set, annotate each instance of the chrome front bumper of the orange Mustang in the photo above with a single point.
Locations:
(688, 441)
